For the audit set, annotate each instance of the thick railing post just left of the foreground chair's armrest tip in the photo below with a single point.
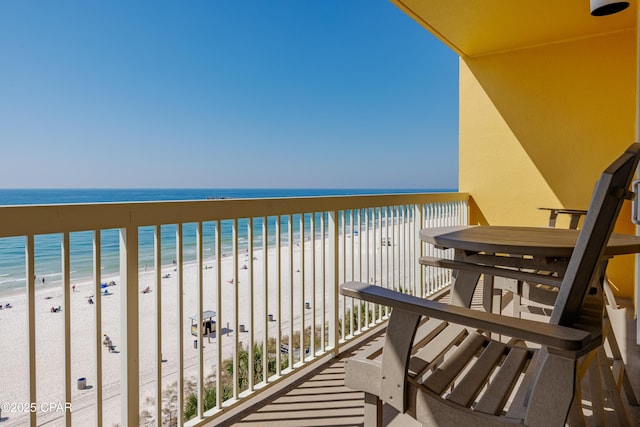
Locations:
(332, 261)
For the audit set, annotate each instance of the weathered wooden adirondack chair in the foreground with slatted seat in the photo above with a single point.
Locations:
(439, 364)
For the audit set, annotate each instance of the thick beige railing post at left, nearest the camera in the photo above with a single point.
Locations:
(129, 377)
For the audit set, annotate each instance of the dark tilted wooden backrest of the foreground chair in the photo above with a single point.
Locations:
(606, 202)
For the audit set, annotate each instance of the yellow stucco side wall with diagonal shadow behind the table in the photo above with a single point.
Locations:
(537, 126)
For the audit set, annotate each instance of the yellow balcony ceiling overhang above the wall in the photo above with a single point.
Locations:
(483, 27)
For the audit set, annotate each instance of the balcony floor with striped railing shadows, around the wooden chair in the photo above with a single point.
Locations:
(321, 399)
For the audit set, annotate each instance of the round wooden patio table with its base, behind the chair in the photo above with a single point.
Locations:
(517, 252)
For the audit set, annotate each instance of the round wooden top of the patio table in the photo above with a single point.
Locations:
(535, 241)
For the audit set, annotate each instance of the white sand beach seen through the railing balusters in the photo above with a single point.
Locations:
(50, 333)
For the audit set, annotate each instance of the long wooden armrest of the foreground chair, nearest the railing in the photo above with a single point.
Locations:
(561, 338)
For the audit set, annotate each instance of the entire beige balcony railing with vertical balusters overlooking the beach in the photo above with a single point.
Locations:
(269, 267)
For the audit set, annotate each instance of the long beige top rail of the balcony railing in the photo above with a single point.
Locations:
(43, 219)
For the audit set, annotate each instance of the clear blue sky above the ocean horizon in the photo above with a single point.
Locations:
(218, 94)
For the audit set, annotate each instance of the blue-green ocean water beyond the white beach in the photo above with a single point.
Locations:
(48, 247)
